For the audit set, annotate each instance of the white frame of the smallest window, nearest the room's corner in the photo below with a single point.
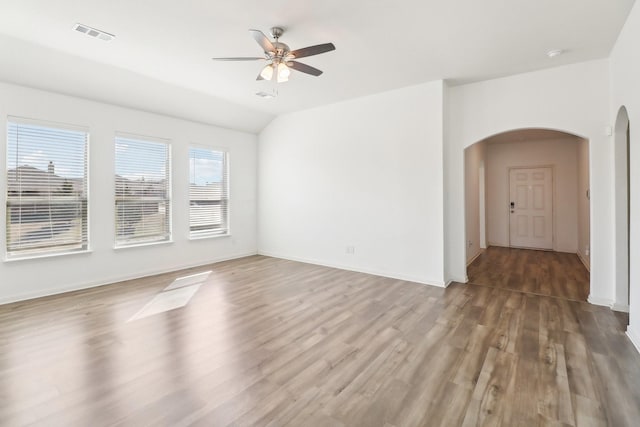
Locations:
(225, 192)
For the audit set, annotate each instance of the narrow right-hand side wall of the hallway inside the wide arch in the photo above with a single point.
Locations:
(584, 204)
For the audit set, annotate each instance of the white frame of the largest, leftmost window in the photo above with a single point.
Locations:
(83, 245)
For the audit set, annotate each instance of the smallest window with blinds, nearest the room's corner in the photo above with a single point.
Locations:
(208, 193)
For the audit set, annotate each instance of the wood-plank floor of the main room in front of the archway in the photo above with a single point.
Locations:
(270, 342)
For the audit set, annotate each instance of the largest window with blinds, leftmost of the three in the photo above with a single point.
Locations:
(46, 189)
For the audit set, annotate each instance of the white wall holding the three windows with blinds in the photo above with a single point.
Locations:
(30, 278)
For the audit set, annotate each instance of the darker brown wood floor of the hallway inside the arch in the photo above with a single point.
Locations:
(539, 272)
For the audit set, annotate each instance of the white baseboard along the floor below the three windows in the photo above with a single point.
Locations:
(116, 279)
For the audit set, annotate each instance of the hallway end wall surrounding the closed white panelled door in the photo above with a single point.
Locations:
(562, 155)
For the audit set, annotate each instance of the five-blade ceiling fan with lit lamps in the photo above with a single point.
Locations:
(280, 59)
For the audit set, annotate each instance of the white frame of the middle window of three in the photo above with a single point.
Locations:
(168, 199)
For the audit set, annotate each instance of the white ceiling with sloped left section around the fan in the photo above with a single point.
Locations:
(161, 57)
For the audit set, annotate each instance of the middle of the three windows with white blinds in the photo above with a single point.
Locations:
(143, 205)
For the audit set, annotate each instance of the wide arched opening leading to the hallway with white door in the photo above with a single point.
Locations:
(491, 165)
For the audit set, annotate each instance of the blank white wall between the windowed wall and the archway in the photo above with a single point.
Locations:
(366, 173)
